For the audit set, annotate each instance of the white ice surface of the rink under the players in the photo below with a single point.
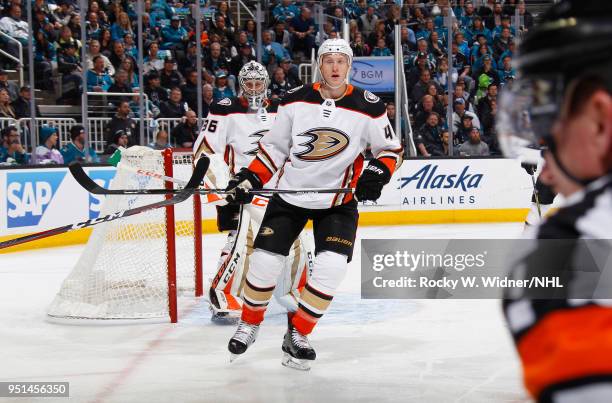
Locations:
(367, 350)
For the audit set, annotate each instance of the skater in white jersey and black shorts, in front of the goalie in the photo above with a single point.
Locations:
(318, 141)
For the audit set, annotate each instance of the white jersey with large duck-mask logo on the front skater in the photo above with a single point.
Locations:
(320, 143)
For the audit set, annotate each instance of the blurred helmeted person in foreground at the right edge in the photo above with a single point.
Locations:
(562, 101)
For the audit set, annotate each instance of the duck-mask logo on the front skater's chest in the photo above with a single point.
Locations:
(323, 143)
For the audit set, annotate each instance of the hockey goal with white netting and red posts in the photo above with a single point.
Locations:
(133, 268)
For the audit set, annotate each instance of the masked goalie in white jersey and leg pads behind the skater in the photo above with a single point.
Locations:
(229, 137)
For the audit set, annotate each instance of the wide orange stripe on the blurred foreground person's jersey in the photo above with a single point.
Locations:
(566, 345)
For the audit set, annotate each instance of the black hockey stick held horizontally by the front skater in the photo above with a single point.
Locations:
(92, 187)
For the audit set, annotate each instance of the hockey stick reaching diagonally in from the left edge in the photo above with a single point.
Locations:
(195, 180)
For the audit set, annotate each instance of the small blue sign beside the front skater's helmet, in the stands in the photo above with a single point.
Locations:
(374, 74)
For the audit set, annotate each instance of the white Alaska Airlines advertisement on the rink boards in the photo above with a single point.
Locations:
(453, 184)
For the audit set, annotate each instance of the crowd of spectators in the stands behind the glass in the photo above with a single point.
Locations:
(483, 44)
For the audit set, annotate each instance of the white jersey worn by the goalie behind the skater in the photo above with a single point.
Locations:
(233, 132)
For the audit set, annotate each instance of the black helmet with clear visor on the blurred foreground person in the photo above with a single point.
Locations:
(569, 50)
